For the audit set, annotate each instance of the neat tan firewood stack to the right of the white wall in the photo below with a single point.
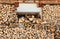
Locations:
(51, 13)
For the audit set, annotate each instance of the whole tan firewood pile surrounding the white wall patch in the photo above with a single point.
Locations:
(30, 26)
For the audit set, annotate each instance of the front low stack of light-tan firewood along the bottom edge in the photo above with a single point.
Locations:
(24, 33)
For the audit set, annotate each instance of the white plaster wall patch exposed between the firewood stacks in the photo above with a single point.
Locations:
(28, 8)
